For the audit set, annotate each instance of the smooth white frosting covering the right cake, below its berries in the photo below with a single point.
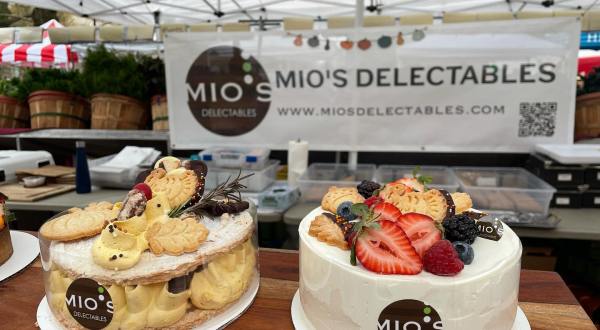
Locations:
(337, 295)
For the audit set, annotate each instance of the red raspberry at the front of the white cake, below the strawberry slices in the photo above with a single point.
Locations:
(441, 259)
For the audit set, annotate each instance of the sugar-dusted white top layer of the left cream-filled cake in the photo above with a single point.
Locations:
(76, 256)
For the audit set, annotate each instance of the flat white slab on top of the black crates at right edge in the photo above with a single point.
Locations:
(571, 153)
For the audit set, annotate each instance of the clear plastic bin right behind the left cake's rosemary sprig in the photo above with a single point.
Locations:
(256, 183)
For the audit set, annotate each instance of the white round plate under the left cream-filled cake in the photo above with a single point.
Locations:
(46, 320)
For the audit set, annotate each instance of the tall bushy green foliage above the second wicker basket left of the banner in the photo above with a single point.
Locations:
(105, 71)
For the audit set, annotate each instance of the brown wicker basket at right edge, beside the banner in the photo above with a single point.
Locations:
(587, 116)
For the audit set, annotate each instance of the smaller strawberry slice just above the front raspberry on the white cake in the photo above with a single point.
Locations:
(421, 231)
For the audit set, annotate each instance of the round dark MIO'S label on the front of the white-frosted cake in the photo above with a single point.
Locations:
(409, 314)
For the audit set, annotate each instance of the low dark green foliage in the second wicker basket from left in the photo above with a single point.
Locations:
(52, 79)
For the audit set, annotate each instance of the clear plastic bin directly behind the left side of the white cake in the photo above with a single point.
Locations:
(317, 179)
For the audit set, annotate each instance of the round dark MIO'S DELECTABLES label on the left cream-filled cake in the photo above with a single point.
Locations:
(89, 303)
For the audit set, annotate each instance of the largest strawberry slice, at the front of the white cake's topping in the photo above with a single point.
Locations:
(387, 250)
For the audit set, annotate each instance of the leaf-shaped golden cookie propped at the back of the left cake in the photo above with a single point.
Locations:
(180, 185)
